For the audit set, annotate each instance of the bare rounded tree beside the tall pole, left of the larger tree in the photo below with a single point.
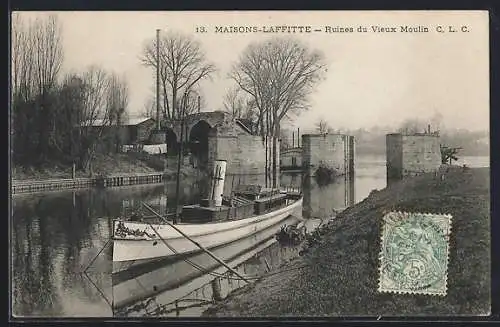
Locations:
(182, 66)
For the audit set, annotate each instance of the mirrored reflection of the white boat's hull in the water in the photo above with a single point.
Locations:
(129, 288)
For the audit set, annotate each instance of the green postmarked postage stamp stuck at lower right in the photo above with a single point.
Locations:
(414, 253)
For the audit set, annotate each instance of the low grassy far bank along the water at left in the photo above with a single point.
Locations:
(106, 165)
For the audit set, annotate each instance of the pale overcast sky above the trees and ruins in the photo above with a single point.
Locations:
(372, 79)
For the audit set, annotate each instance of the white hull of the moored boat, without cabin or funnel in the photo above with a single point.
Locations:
(154, 242)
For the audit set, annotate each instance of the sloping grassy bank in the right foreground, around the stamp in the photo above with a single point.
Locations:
(340, 276)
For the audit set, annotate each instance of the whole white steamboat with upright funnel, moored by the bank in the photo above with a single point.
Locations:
(211, 224)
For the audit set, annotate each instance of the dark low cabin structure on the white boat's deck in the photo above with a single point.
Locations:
(246, 201)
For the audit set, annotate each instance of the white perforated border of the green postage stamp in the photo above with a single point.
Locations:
(405, 215)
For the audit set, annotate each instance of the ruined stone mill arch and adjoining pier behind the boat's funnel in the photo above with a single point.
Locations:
(217, 135)
